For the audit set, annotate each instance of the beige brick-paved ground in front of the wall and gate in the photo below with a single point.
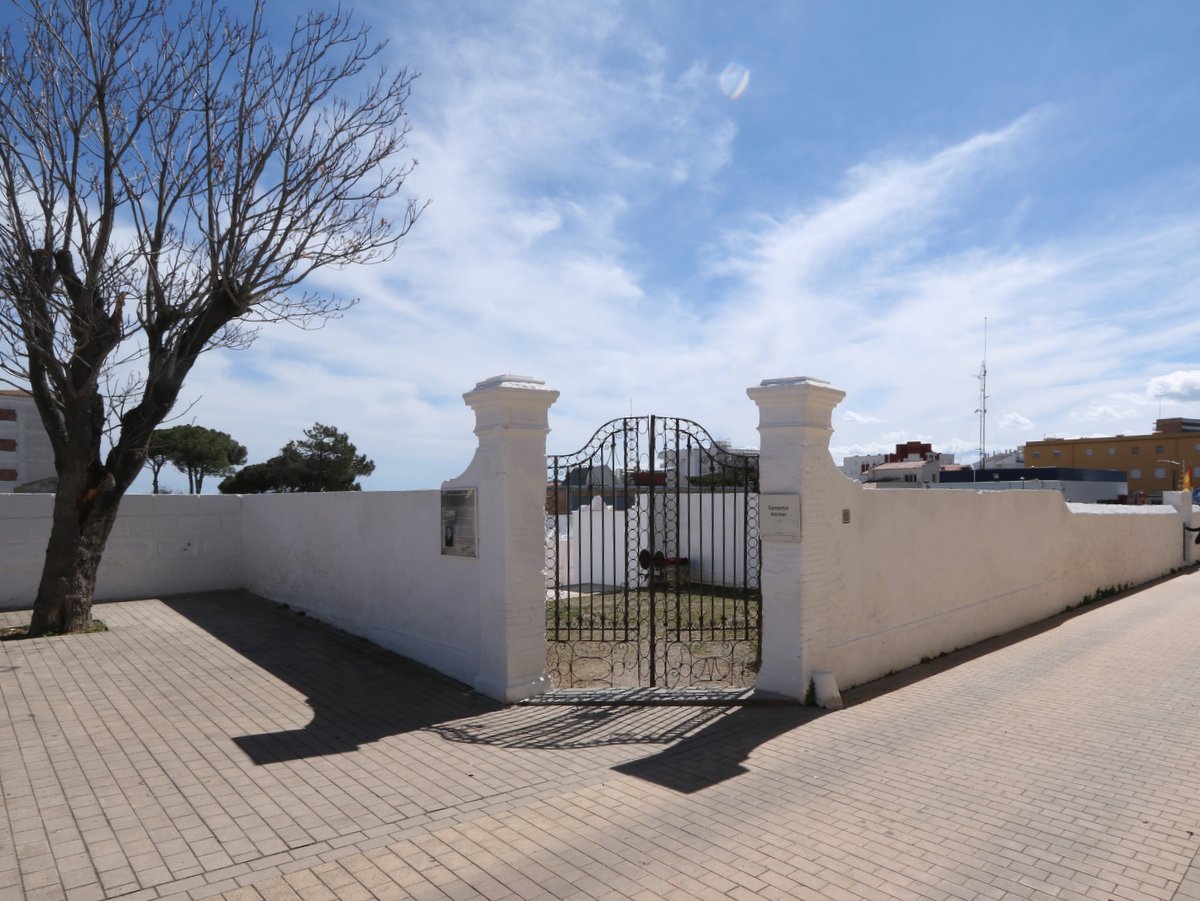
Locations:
(221, 746)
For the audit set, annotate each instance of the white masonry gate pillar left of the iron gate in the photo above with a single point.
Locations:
(509, 472)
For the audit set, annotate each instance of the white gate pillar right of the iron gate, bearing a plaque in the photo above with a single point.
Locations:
(795, 428)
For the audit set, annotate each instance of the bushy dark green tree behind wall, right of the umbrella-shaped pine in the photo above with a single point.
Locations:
(323, 461)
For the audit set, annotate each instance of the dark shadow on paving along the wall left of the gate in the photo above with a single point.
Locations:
(358, 692)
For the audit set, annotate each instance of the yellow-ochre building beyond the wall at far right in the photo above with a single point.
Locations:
(1154, 464)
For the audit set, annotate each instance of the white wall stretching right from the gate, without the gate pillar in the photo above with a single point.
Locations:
(920, 573)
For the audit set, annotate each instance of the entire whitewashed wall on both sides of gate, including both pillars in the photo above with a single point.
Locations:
(877, 581)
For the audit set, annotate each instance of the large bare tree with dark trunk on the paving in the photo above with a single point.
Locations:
(170, 176)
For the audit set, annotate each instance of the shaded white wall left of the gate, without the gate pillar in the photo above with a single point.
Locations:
(365, 562)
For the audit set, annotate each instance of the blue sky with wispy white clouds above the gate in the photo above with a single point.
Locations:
(607, 218)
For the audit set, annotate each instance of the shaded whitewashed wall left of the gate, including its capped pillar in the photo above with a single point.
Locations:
(367, 562)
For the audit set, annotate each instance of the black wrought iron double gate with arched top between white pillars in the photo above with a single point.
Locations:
(653, 560)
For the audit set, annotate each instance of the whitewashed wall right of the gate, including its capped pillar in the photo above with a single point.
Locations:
(879, 580)
